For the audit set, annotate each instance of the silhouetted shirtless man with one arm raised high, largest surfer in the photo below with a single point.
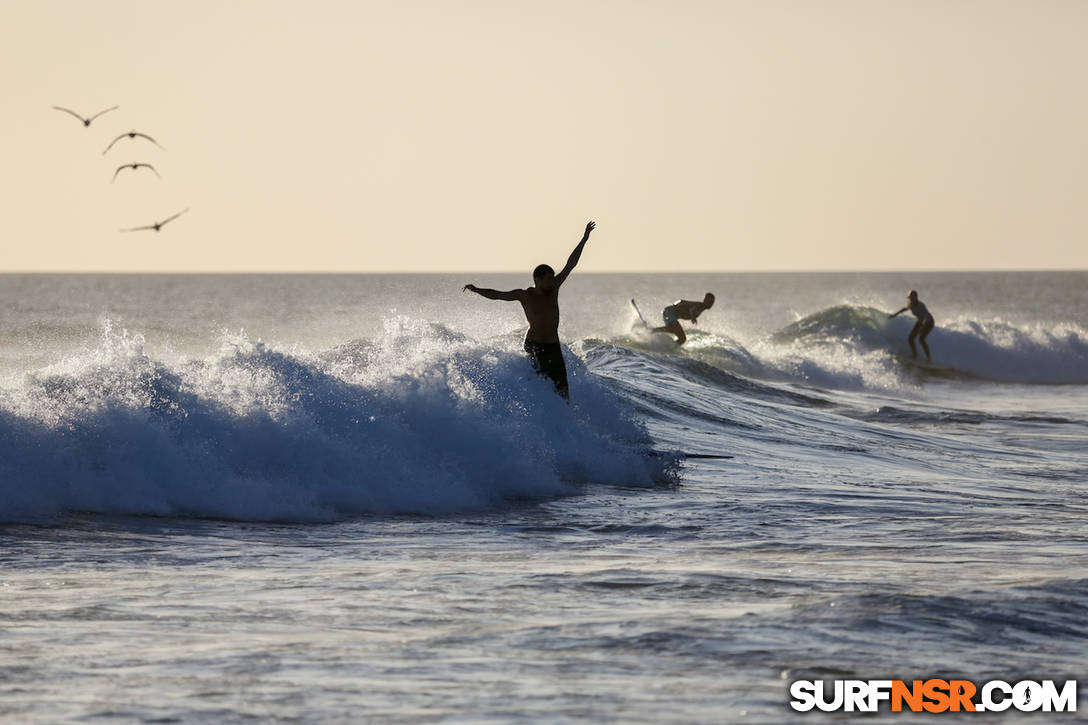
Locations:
(541, 305)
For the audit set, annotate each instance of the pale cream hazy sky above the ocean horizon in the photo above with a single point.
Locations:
(356, 136)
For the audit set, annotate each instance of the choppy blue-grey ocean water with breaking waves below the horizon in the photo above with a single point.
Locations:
(331, 499)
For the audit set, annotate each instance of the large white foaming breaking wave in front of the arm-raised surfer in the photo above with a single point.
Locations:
(427, 422)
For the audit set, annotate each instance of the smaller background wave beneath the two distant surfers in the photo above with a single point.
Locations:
(858, 348)
